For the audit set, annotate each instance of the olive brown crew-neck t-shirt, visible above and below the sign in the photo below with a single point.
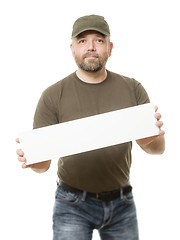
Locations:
(100, 170)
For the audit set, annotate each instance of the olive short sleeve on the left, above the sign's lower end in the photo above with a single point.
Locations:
(46, 113)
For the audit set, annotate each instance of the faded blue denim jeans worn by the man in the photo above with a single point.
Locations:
(75, 217)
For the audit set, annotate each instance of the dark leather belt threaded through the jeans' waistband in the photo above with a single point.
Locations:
(102, 196)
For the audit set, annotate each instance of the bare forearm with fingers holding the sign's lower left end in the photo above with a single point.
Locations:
(37, 167)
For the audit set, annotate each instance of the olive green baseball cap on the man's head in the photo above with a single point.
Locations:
(90, 22)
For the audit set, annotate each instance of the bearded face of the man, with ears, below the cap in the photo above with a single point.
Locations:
(91, 51)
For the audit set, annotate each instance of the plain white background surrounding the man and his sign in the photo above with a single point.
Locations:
(35, 53)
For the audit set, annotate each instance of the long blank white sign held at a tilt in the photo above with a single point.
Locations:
(89, 133)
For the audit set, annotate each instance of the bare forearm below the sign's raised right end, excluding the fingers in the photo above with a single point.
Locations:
(157, 146)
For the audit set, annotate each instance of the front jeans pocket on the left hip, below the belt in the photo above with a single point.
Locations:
(67, 197)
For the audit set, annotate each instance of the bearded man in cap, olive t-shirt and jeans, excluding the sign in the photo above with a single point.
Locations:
(93, 190)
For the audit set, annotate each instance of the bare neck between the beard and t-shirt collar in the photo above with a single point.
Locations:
(92, 77)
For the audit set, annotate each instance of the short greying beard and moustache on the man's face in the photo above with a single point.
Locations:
(91, 65)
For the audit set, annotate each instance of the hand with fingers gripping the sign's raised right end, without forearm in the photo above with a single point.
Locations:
(145, 141)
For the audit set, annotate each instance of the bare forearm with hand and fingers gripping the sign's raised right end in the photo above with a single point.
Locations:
(155, 144)
